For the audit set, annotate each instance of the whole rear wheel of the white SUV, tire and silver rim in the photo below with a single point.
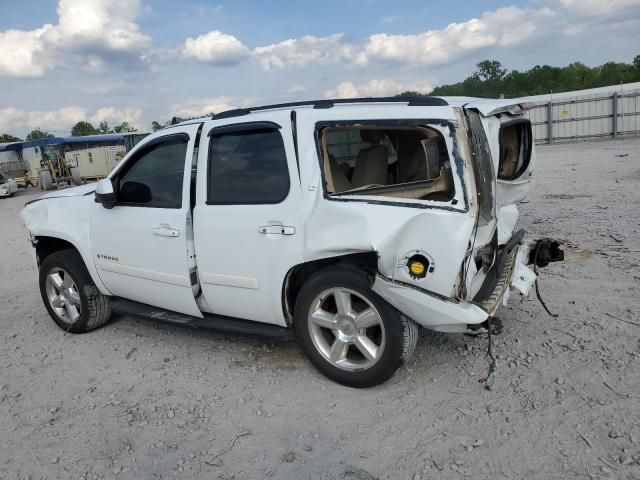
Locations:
(348, 332)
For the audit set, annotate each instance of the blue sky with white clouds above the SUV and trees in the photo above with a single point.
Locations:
(145, 60)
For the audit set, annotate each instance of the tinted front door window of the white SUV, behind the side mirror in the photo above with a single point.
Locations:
(155, 177)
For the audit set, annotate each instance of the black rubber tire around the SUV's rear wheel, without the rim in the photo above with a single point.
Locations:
(401, 333)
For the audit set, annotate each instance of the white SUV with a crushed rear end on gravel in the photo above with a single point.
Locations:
(349, 222)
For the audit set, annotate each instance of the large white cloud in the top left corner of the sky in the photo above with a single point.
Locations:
(93, 29)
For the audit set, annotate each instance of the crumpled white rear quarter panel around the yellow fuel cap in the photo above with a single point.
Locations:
(339, 228)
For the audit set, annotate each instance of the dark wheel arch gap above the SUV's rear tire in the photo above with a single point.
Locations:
(297, 275)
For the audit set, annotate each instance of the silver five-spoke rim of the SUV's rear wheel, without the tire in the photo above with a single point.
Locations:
(346, 329)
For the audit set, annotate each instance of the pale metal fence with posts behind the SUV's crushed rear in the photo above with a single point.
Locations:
(575, 118)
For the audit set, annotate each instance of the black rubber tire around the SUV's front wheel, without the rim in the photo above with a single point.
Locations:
(95, 309)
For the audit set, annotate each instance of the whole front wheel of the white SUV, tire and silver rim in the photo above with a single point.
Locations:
(70, 296)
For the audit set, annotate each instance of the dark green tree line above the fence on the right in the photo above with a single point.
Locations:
(491, 79)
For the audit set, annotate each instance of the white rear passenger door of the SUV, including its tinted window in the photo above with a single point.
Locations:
(248, 224)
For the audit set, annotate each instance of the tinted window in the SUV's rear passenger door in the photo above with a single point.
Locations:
(247, 167)
